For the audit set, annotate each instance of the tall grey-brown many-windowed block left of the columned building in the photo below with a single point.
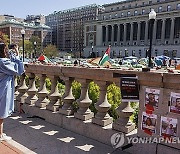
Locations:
(68, 26)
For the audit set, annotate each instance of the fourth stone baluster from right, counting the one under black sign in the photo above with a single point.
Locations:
(67, 98)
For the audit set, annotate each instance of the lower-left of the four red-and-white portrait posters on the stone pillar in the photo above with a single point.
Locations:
(149, 123)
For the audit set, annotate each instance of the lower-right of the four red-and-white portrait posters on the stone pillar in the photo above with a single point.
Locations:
(168, 127)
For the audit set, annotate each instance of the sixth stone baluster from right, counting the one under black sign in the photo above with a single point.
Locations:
(42, 93)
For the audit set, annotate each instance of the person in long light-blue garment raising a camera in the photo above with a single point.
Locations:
(10, 65)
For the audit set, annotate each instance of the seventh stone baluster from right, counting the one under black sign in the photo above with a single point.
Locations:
(32, 91)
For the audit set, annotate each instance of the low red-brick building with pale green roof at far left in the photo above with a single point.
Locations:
(12, 28)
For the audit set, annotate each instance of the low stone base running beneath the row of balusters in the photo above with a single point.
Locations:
(85, 128)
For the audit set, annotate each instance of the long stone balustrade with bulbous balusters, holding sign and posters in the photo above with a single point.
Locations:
(58, 109)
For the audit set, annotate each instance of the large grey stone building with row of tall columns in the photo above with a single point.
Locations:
(125, 26)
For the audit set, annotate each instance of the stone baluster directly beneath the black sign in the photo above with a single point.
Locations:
(123, 123)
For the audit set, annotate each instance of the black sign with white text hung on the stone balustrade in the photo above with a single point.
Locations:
(129, 89)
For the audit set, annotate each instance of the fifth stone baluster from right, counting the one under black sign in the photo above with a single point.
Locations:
(54, 95)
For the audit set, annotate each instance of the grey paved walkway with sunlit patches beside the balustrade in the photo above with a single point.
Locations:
(33, 135)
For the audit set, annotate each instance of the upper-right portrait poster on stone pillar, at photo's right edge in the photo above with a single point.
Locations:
(174, 103)
